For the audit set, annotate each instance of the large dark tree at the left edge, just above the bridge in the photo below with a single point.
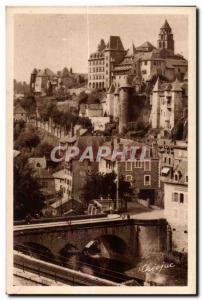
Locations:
(28, 199)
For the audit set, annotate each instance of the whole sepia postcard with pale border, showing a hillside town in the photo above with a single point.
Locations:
(101, 150)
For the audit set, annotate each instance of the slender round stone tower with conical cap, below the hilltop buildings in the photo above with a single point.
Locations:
(124, 93)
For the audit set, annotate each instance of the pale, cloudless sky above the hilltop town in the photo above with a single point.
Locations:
(56, 41)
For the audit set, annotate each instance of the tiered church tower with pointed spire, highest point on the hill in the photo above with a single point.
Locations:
(165, 41)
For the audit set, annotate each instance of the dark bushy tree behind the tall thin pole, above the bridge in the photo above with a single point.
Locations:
(100, 185)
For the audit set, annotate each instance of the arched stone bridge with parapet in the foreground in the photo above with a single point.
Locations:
(120, 239)
